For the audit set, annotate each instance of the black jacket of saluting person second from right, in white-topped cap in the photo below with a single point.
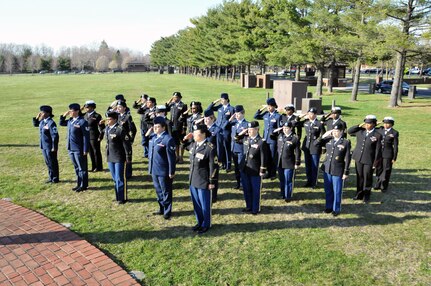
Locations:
(368, 149)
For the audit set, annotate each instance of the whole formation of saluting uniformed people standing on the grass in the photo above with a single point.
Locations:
(224, 142)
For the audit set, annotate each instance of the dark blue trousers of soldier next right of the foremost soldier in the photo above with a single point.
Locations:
(251, 186)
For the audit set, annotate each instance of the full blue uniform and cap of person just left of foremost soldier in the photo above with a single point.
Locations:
(161, 165)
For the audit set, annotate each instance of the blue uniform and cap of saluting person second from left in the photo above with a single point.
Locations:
(78, 143)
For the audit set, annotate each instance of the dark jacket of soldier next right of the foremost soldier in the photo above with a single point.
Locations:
(256, 155)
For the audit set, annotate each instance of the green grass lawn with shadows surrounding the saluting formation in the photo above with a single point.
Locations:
(384, 243)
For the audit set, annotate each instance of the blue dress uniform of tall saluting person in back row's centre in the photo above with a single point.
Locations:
(224, 112)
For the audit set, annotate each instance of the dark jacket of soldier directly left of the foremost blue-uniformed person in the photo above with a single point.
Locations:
(118, 144)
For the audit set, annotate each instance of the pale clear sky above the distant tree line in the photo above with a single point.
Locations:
(123, 24)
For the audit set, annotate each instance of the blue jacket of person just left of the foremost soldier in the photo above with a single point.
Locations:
(161, 155)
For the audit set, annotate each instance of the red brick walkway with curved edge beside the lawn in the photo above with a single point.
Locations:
(37, 251)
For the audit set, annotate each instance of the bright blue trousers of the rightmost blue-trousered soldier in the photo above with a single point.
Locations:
(333, 191)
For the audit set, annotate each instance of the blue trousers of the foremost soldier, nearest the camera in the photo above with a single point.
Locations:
(201, 199)
